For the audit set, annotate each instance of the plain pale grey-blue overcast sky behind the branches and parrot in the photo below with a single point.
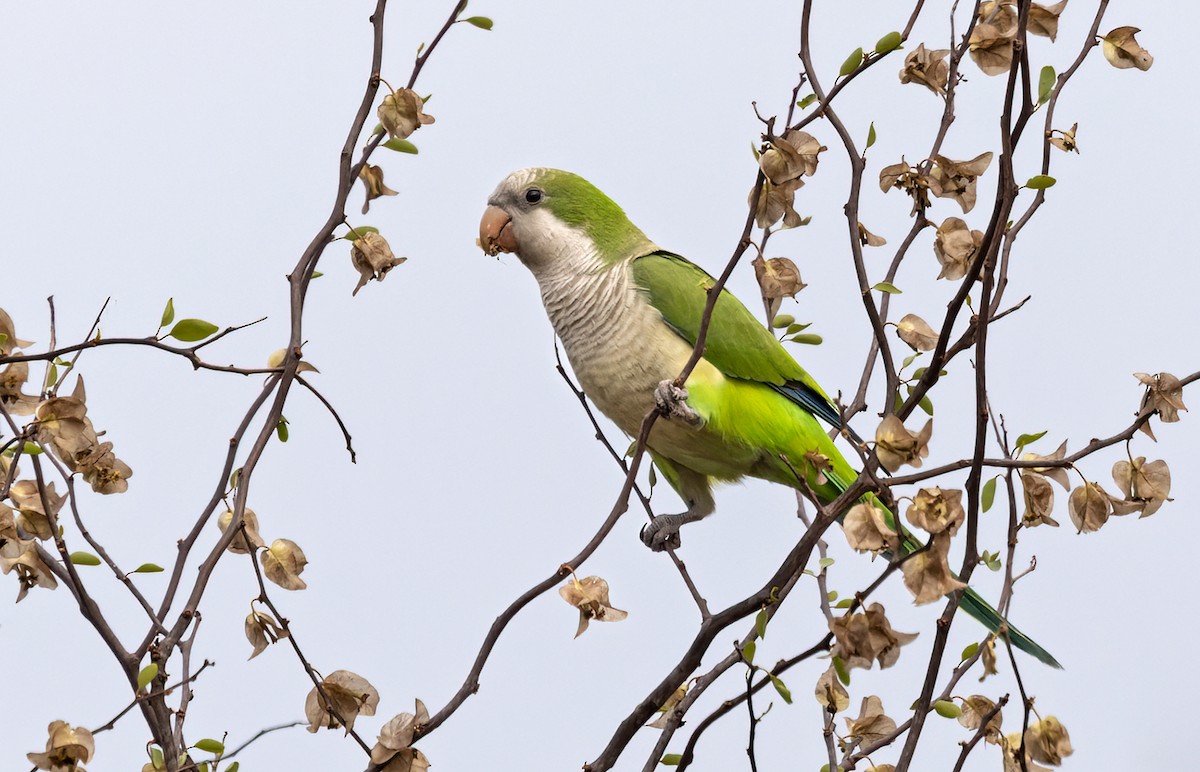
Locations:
(189, 151)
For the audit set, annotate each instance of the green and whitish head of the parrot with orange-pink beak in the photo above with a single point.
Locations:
(544, 216)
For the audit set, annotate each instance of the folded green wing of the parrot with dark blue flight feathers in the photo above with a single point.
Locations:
(737, 344)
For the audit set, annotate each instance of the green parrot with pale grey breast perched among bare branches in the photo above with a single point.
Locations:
(628, 314)
